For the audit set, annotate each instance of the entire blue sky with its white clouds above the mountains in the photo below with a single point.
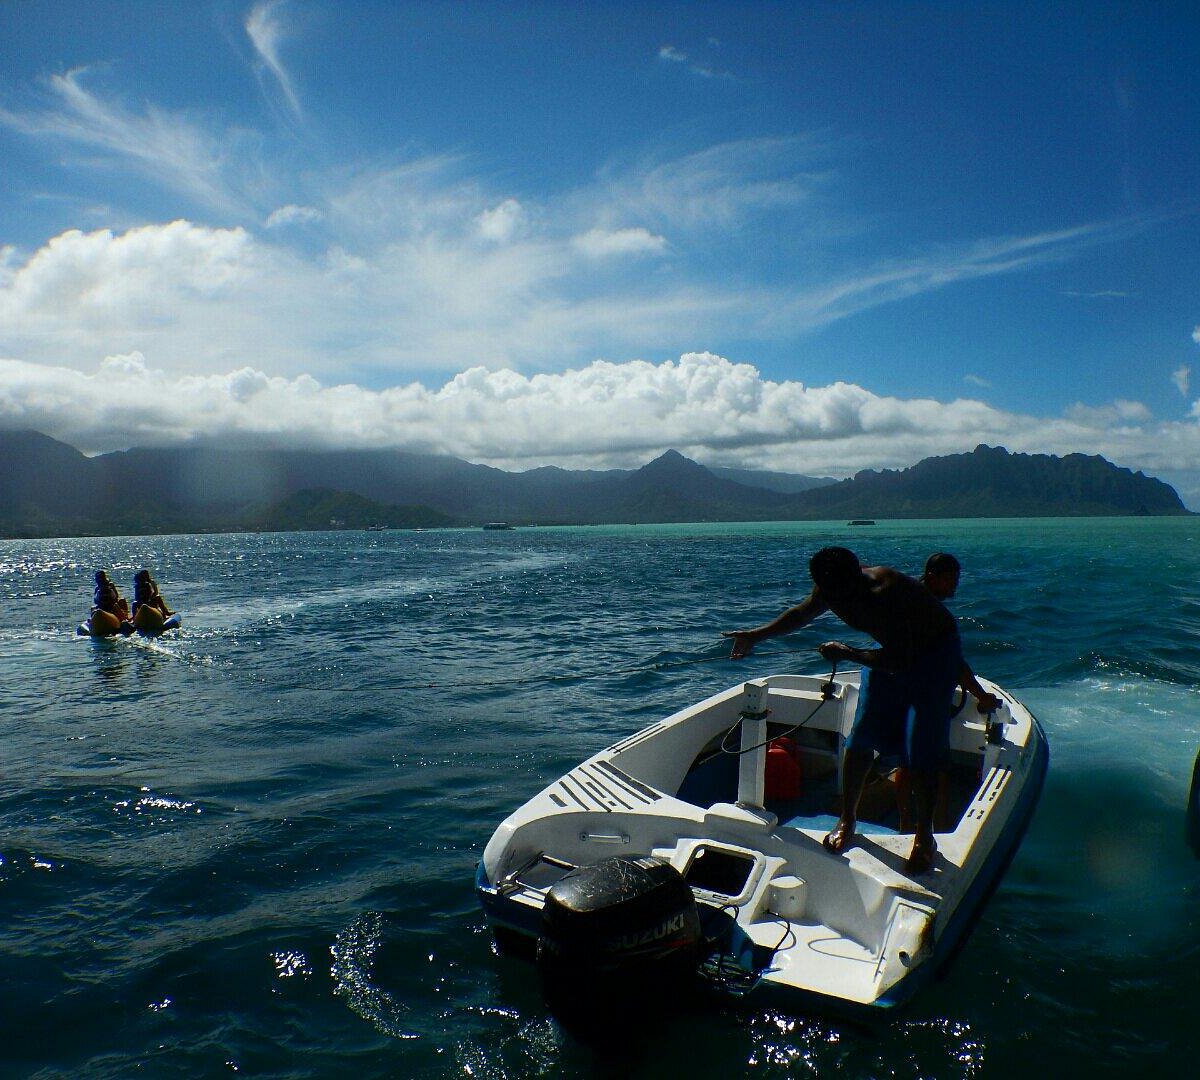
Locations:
(813, 238)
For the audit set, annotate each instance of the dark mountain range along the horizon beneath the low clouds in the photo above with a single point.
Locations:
(50, 489)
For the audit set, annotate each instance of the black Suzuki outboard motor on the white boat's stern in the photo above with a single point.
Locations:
(616, 935)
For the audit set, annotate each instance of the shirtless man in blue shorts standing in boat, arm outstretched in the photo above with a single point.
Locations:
(908, 689)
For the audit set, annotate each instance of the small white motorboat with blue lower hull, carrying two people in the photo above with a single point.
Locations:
(736, 795)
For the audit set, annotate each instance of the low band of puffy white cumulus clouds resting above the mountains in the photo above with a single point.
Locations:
(598, 416)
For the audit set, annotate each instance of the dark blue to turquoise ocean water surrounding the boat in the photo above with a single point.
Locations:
(249, 848)
